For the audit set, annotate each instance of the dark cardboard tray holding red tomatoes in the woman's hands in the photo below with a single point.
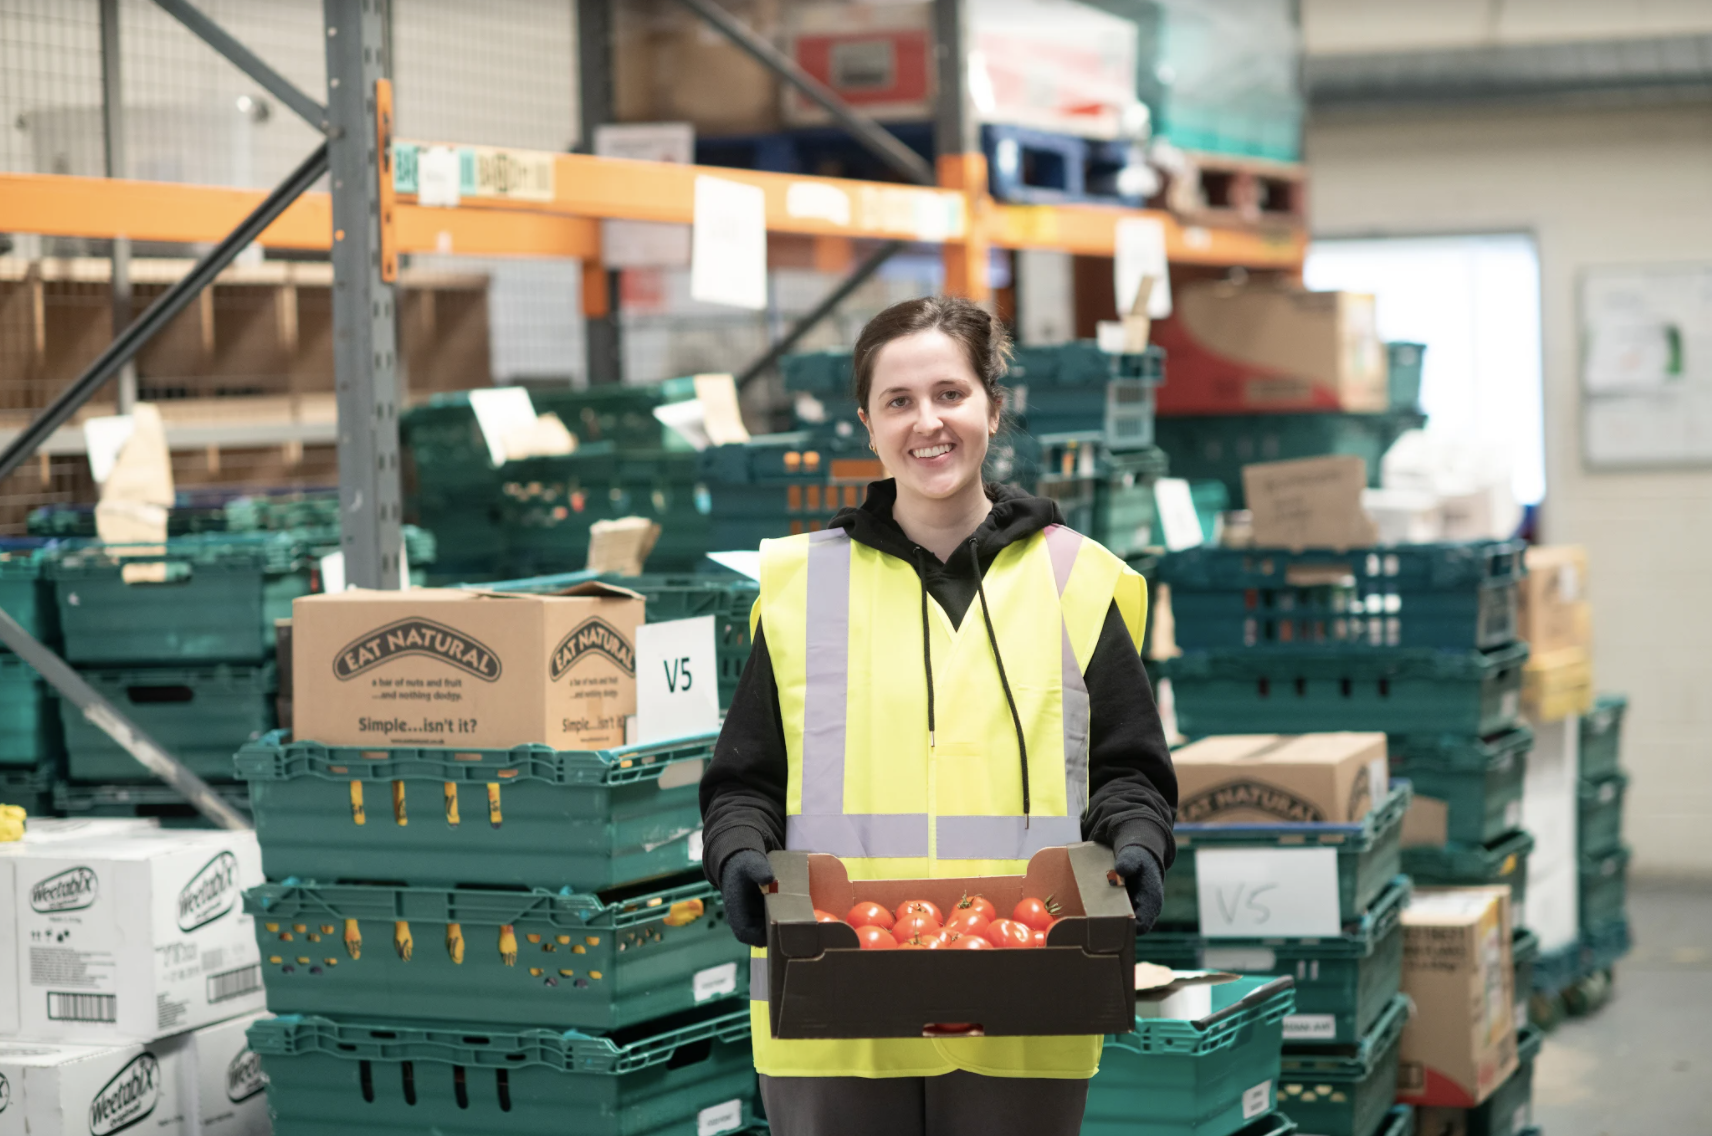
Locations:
(821, 985)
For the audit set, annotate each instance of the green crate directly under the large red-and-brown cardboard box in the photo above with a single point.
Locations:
(1215, 447)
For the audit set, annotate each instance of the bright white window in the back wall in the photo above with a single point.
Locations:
(1475, 304)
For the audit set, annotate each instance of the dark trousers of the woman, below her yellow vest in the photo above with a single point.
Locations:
(953, 1104)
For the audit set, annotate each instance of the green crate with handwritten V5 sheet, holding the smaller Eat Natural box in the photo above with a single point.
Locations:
(1367, 856)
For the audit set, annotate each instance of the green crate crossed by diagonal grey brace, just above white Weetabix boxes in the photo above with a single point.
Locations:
(198, 714)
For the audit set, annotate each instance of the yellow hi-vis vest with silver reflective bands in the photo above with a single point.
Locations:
(869, 786)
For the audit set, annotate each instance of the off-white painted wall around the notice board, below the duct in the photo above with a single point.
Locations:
(1596, 189)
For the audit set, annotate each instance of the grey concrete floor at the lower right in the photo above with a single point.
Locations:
(1643, 1065)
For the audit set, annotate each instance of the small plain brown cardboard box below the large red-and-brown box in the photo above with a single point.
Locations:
(1312, 502)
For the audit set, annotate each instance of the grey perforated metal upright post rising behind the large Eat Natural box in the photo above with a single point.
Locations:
(364, 326)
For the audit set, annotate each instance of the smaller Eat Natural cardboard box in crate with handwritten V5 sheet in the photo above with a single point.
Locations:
(1263, 779)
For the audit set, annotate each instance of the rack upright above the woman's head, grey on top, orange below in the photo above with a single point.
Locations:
(958, 145)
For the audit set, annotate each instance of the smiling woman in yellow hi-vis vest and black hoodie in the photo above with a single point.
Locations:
(942, 683)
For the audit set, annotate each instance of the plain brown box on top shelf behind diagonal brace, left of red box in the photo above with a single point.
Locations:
(674, 68)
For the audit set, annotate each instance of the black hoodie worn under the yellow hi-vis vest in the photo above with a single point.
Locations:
(1132, 788)
